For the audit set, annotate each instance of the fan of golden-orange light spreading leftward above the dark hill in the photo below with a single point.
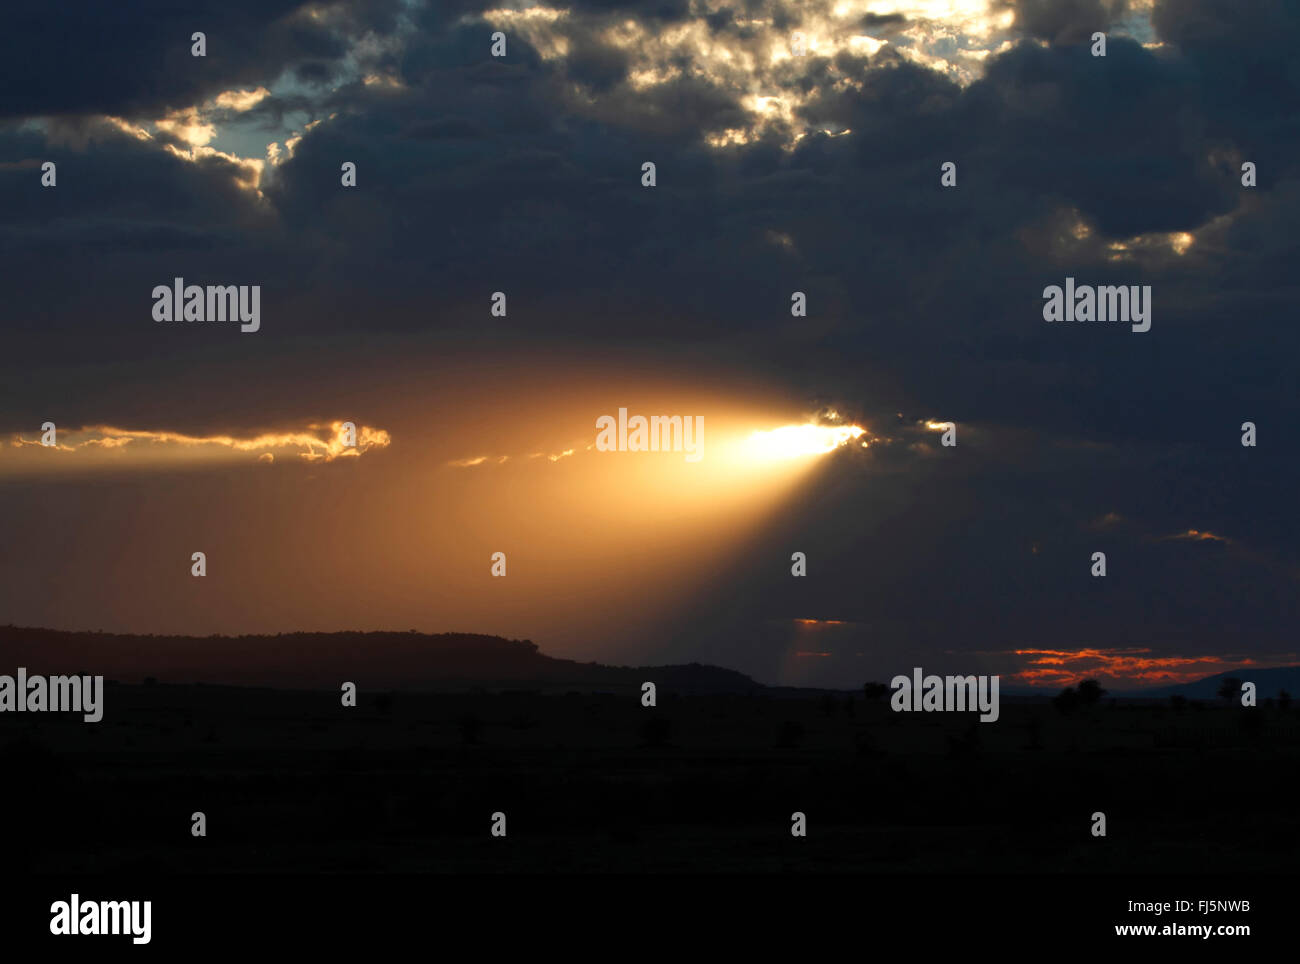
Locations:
(603, 548)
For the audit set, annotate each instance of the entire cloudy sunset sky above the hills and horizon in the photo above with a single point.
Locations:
(775, 173)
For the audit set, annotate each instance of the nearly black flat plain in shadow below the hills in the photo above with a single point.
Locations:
(292, 781)
